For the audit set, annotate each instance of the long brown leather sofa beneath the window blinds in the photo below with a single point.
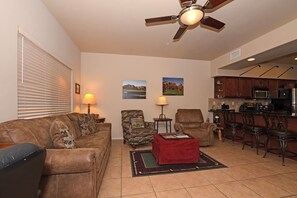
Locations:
(68, 172)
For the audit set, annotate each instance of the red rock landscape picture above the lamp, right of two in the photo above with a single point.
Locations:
(173, 86)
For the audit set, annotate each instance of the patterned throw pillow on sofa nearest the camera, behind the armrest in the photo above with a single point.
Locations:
(61, 136)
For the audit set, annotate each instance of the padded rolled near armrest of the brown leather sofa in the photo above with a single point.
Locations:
(65, 161)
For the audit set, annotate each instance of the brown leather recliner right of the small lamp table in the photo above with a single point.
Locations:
(191, 121)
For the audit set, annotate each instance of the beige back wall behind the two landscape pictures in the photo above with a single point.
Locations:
(102, 74)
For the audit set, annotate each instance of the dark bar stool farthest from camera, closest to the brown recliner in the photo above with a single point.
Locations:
(231, 124)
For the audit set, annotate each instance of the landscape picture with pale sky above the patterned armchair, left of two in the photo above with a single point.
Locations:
(134, 89)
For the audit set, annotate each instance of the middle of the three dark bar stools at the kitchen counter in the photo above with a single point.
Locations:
(254, 130)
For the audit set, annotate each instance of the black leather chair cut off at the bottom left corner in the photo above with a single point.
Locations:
(21, 166)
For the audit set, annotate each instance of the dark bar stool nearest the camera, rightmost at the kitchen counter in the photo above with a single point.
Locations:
(277, 128)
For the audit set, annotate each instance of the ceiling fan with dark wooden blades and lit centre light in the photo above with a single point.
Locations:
(192, 14)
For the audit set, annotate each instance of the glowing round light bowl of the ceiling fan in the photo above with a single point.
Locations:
(191, 15)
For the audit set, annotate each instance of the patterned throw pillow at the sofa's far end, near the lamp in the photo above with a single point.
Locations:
(87, 124)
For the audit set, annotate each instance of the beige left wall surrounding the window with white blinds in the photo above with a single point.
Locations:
(34, 19)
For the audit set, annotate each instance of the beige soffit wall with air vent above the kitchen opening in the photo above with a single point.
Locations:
(277, 37)
